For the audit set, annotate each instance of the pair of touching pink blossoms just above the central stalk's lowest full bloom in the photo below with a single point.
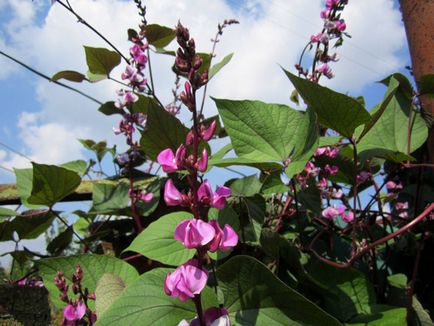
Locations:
(194, 233)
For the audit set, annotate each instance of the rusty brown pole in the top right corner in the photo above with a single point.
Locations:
(418, 17)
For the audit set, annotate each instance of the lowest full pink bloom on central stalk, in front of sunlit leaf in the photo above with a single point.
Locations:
(186, 281)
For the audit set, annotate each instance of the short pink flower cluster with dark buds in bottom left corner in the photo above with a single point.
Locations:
(77, 310)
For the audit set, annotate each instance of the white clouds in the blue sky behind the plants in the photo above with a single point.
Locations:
(270, 33)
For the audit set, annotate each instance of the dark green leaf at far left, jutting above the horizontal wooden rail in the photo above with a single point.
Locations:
(51, 184)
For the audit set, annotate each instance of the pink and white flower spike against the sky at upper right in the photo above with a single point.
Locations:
(333, 29)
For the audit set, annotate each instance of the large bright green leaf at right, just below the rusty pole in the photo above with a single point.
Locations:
(390, 132)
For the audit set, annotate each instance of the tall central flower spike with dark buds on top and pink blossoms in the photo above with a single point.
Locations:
(189, 279)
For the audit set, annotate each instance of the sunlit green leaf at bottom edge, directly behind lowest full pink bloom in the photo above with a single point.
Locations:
(144, 302)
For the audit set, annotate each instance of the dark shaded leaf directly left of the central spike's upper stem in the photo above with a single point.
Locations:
(163, 130)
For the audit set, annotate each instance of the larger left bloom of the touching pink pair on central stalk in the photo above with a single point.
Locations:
(194, 233)
